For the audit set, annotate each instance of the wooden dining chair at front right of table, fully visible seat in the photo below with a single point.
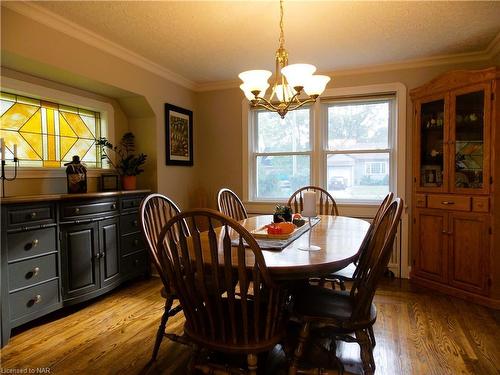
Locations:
(349, 316)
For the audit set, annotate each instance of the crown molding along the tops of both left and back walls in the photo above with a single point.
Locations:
(50, 19)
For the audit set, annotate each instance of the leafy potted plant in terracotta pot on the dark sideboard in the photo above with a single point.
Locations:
(126, 163)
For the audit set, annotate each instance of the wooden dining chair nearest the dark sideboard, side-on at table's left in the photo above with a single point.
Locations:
(155, 211)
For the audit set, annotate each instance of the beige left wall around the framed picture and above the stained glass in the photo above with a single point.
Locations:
(36, 49)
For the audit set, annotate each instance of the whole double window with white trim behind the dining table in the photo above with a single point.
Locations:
(346, 144)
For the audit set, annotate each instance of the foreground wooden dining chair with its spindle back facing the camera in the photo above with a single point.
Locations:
(203, 269)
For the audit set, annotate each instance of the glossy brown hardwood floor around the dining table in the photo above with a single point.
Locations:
(417, 331)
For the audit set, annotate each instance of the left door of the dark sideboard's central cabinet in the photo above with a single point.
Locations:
(79, 257)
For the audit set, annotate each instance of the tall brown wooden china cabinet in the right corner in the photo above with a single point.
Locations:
(456, 195)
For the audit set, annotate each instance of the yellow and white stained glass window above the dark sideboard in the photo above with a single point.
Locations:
(48, 134)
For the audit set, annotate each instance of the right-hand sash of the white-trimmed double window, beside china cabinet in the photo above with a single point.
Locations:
(358, 147)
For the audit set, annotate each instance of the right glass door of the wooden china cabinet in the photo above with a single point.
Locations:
(469, 137)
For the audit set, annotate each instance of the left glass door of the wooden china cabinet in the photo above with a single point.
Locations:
(432, 141)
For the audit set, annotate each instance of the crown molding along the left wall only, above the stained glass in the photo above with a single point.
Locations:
(54, 21)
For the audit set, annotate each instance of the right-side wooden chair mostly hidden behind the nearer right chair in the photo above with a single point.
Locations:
(348, 273)
